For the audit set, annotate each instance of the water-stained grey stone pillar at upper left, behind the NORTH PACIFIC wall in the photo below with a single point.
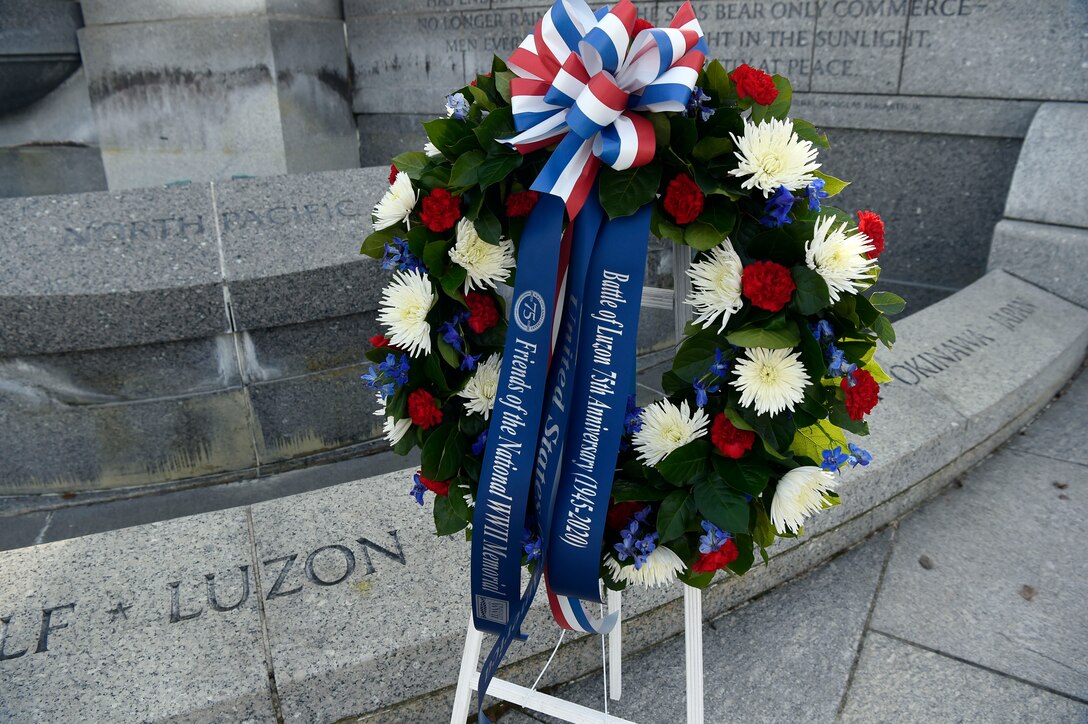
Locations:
(209, 90)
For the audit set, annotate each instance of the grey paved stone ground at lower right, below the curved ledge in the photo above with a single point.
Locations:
(974, 609)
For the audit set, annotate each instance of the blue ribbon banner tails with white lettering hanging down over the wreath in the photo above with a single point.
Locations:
(560, 445)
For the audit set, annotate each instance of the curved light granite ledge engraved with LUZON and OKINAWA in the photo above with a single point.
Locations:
(364, 610)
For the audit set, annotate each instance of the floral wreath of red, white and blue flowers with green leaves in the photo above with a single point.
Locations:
(777, 365)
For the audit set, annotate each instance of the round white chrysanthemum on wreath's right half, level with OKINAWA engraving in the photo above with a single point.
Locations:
(771, 381)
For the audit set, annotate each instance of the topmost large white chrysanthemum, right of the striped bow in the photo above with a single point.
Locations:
(773, 156)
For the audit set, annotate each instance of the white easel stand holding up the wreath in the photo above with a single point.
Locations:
(468, 680)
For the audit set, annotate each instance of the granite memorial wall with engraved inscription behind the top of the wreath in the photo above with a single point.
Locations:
(926, 102)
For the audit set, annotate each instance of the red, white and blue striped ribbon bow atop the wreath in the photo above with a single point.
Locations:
(583, 82)
